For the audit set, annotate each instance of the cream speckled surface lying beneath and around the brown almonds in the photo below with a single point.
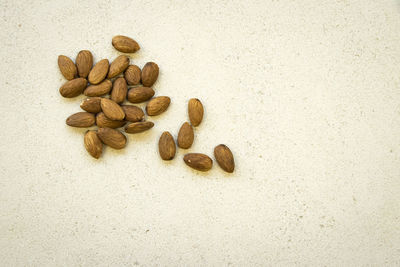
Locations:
(306, 94)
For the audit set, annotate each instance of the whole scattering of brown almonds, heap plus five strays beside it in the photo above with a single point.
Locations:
(110, 88)
